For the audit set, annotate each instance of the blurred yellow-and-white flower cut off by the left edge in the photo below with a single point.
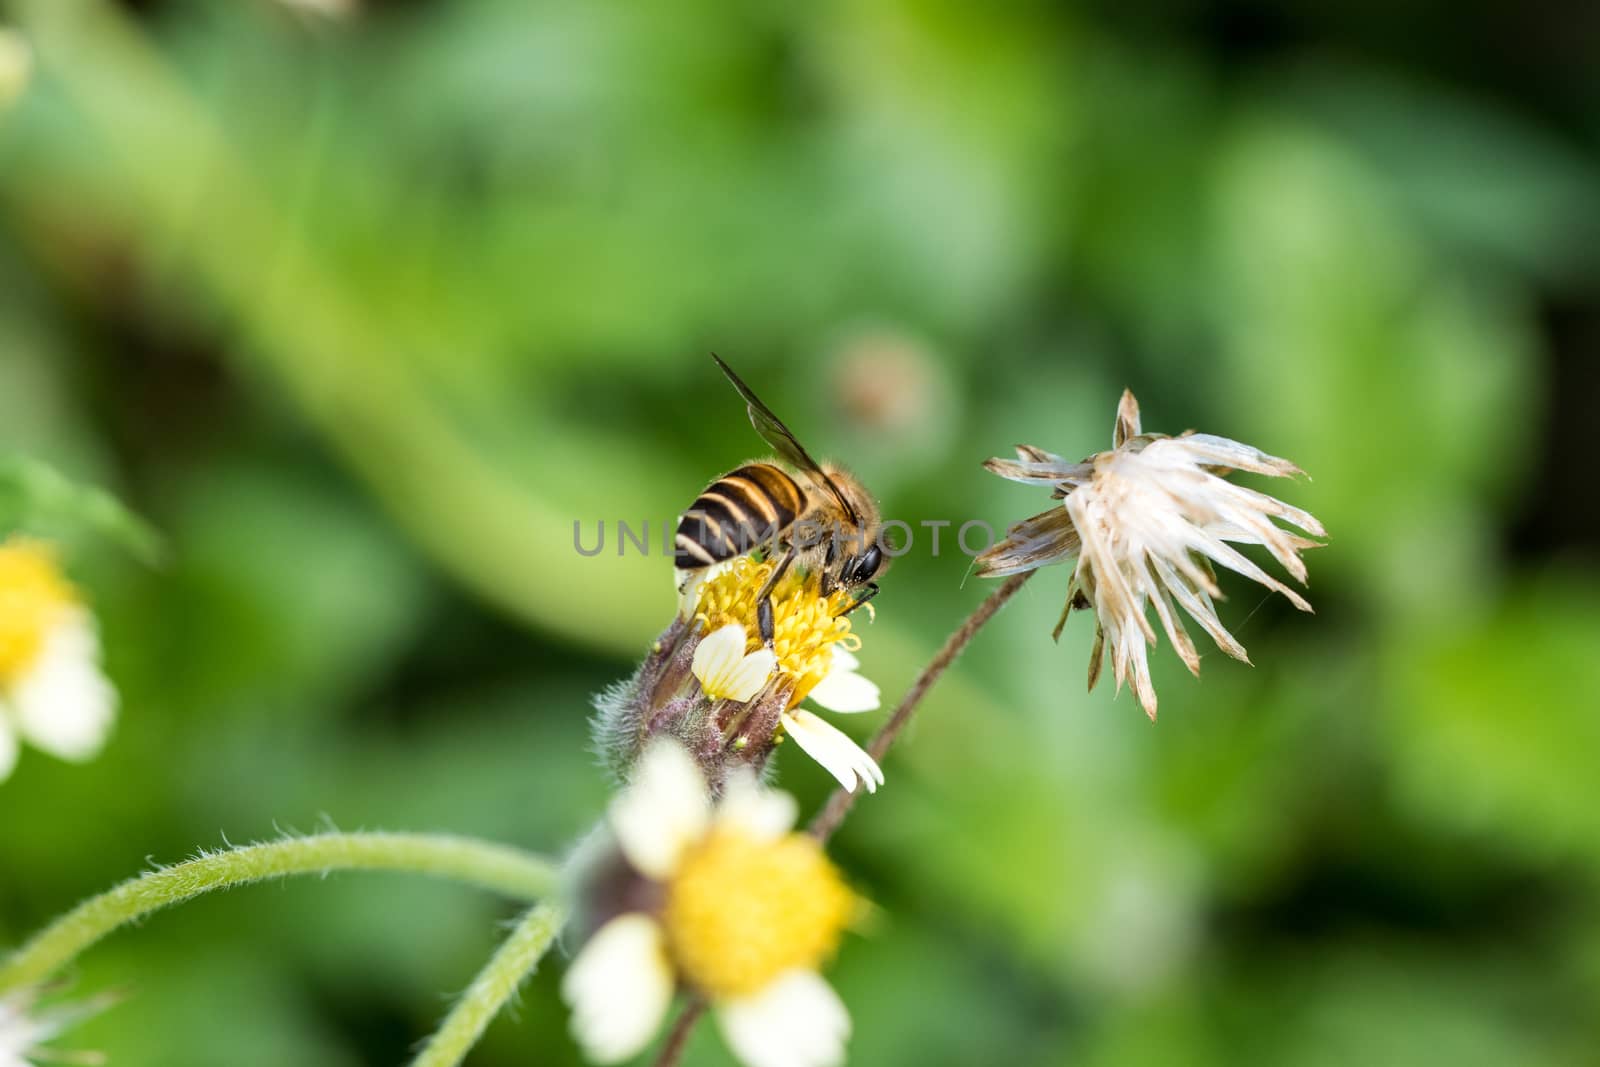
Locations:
(54, 693)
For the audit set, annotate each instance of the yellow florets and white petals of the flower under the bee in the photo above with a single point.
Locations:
(810, 658)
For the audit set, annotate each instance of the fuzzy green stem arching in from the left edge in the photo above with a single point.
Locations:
(478, 863)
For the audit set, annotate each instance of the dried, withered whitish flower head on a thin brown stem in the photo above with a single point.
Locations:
(1146, 521)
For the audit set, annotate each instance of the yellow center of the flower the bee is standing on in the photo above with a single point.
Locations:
(806, 623)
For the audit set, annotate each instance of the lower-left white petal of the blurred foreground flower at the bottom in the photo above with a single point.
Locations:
(620, 988)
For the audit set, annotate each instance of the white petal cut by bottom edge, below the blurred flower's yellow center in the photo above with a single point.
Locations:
(798, 1021)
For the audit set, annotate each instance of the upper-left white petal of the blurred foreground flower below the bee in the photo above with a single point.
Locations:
(663, 810)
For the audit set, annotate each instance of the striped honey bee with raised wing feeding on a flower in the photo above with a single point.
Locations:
(823, 521)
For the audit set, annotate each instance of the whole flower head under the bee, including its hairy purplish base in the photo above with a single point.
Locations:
(729, 700)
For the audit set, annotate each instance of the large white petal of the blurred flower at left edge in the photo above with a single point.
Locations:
(65, 705)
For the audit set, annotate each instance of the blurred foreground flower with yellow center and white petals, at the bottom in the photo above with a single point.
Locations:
(740, 909)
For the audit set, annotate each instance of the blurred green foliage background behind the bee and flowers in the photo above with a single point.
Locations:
(364, 313)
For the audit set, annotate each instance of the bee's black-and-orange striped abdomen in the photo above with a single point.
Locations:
(735, 514)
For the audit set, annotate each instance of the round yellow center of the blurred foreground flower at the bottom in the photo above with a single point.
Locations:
(743, 911)
